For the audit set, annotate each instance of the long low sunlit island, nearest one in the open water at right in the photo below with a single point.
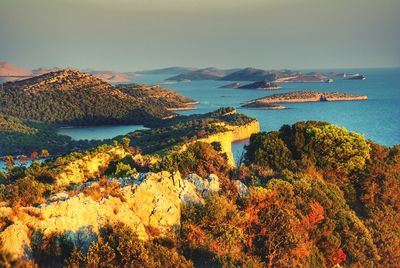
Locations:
(300, 96)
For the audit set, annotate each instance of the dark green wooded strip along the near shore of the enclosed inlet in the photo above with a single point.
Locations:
(30, 136)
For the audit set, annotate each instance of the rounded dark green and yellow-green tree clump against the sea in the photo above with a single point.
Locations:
(309, 143)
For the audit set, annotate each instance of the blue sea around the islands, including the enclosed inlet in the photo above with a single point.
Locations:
(377, 118)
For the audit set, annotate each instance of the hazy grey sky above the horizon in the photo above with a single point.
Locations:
(129, 35)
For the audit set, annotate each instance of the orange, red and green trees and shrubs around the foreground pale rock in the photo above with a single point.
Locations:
(318, 196)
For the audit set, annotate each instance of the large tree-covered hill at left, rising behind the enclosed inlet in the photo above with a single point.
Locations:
(73, 97)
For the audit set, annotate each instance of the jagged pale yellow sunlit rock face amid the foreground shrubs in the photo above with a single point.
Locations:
(147, 200)
